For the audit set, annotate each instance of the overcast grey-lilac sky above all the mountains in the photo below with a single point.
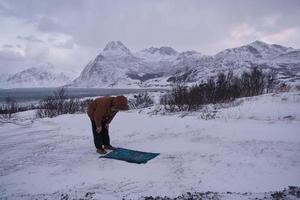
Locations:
(69, 33)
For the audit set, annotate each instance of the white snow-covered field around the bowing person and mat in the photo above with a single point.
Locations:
(252, 146)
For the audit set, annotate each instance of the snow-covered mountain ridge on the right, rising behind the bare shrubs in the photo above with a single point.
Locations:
(285, 61)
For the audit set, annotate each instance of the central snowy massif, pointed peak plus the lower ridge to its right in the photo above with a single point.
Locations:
(116, 66)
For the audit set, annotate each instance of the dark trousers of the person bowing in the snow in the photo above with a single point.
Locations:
(101, 138)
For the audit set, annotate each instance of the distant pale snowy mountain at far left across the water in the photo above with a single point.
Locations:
(42, 75)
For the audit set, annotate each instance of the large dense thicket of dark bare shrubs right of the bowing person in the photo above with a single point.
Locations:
(223, 89)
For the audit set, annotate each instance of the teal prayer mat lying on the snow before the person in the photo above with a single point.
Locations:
(131, 156)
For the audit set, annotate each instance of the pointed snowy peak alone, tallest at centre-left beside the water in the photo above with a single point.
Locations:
(109, 68)
